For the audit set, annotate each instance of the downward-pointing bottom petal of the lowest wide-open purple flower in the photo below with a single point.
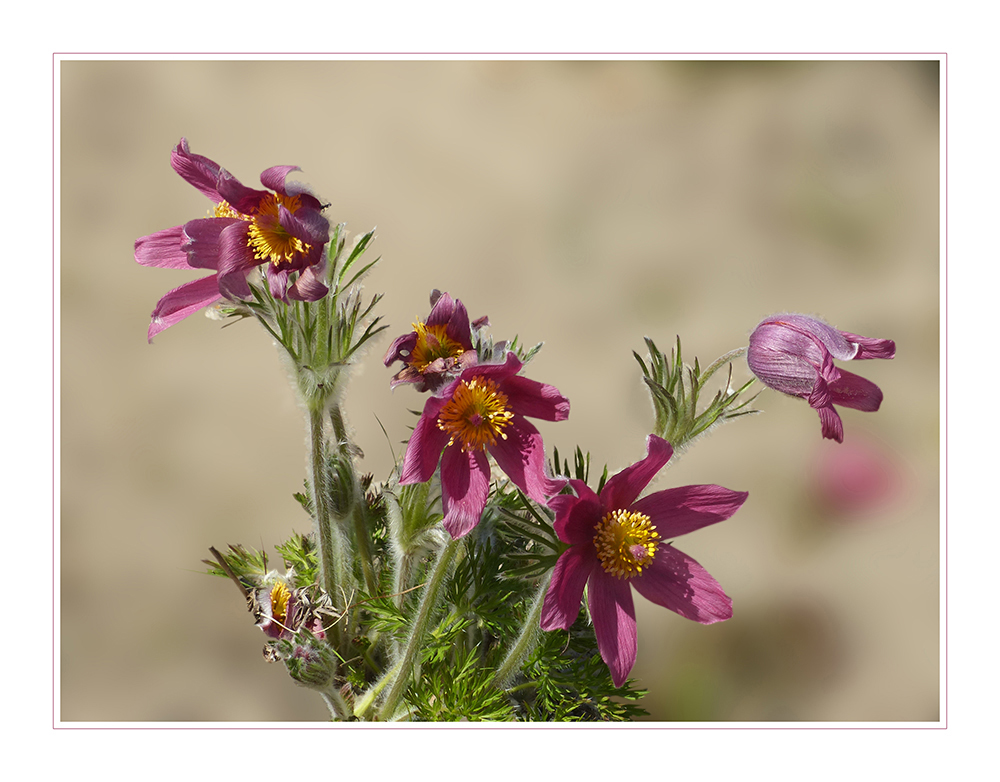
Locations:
(613, 612)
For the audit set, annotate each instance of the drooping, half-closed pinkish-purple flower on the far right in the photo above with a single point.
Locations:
(794, 354)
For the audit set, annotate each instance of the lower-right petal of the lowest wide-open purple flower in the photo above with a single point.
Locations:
(675, 581)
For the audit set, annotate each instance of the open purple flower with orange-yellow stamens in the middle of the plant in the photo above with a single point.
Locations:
(479, 413)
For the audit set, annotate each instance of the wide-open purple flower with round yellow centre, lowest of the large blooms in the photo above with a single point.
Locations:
(618, 542)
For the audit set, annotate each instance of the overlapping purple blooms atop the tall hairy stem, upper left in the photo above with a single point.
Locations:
(281, 227)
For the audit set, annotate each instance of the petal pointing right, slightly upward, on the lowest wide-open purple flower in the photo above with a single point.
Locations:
(685, 509)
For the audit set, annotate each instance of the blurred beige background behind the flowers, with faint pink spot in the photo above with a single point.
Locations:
(586, 204)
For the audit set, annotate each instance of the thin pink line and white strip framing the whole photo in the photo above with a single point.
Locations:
(943, 56)
